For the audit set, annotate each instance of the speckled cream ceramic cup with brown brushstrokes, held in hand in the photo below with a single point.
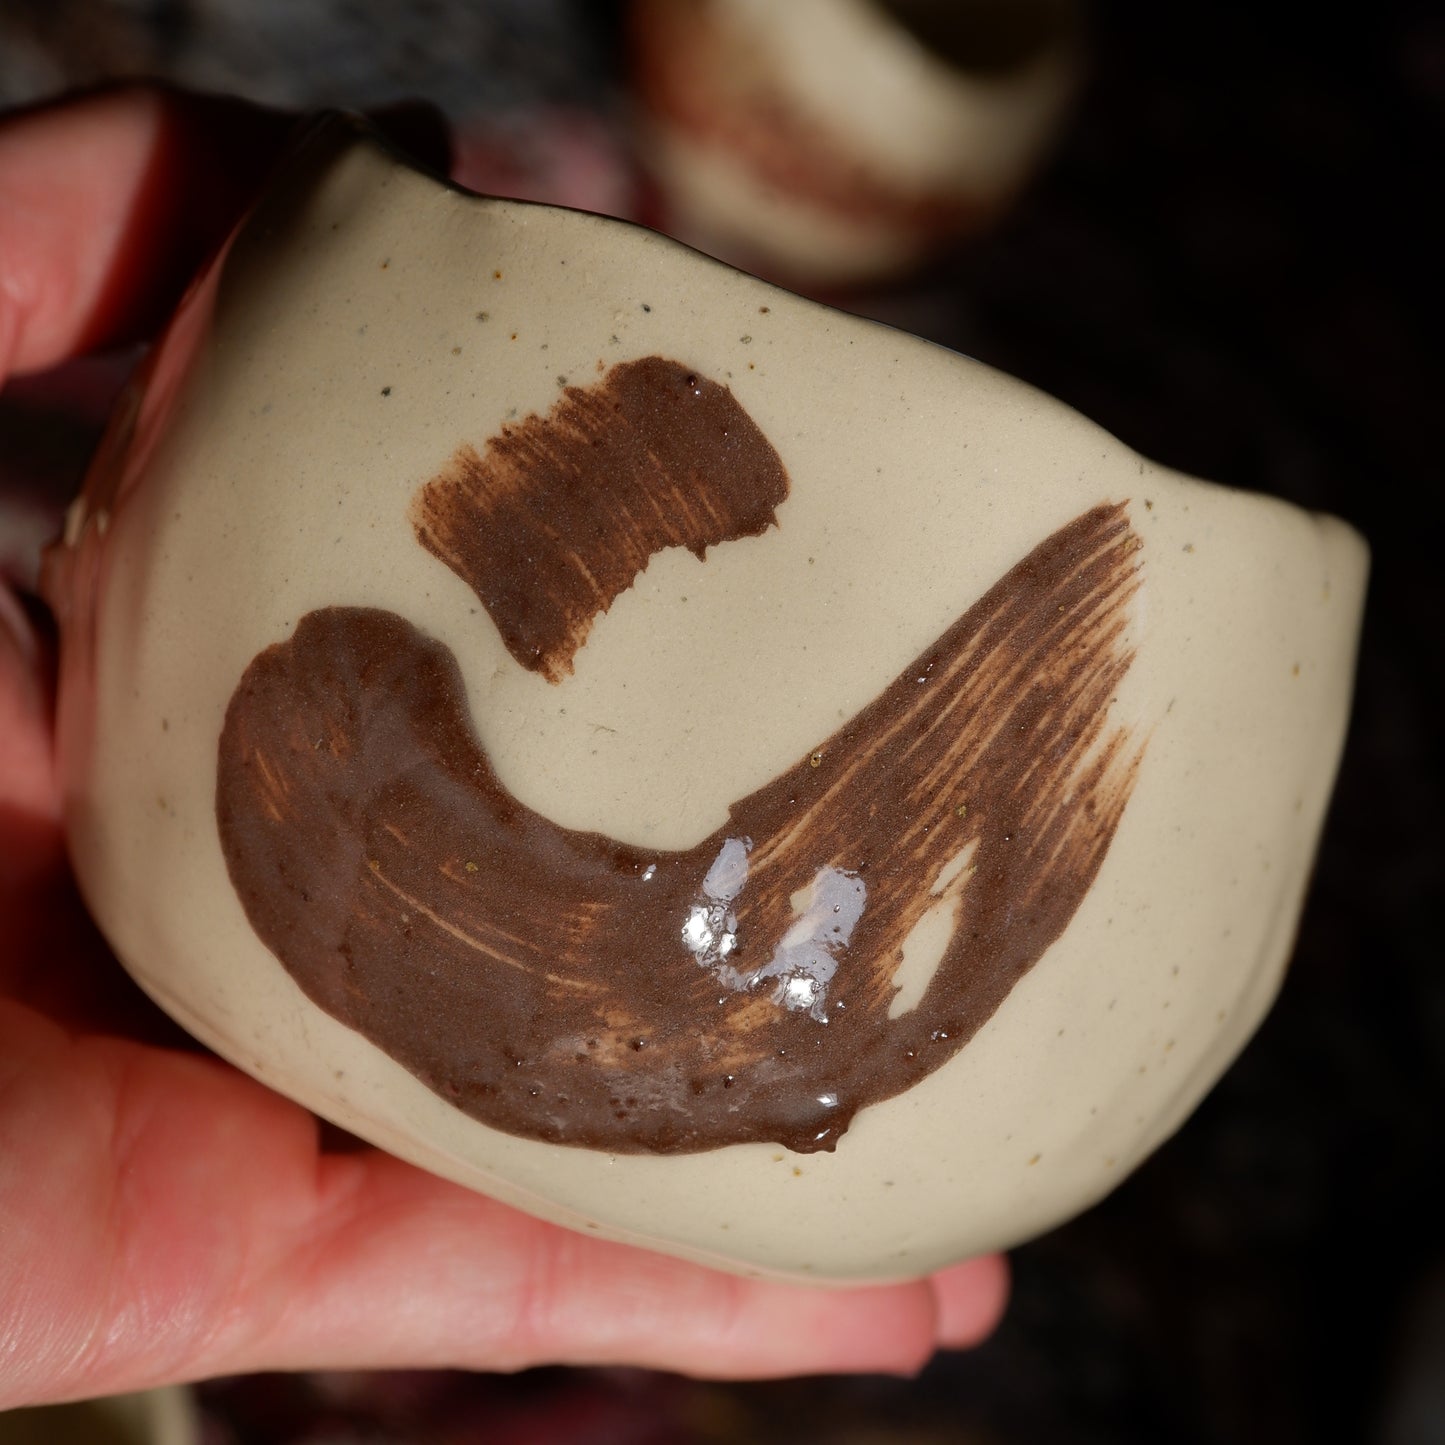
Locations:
(690, 764)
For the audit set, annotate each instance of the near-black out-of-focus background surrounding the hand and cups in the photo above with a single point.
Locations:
(1232, 262)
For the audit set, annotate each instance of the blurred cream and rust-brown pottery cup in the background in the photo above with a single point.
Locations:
(833, 144)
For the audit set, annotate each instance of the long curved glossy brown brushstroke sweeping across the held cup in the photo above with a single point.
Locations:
(538, 978)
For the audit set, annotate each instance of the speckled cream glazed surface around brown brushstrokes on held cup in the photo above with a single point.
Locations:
(282, 485)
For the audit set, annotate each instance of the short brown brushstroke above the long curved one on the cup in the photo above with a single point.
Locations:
(560, 514)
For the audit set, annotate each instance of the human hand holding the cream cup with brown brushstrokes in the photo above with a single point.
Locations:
(164, 1217)
